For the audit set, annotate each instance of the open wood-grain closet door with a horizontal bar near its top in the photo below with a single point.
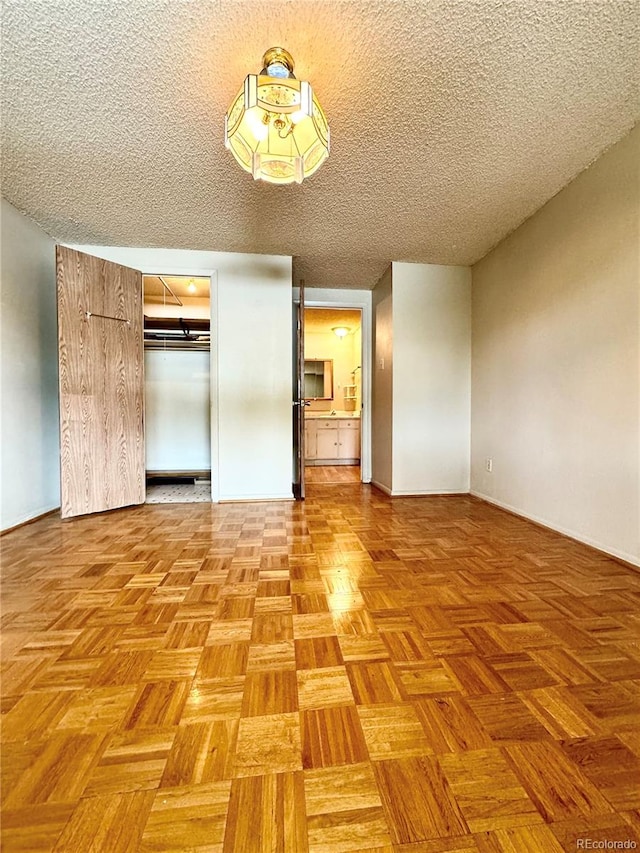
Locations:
(101, 364)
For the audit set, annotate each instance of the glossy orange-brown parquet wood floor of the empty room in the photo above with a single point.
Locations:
(353, 673)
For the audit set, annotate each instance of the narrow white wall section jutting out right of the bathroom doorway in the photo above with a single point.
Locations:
(431, 378)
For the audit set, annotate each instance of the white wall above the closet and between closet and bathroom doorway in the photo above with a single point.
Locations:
(251, 362)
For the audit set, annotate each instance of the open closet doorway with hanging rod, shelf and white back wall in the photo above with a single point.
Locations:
(177, 344)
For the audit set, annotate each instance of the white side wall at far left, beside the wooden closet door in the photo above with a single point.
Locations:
(30, 458)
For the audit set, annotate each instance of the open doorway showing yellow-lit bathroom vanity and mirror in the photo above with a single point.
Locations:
(333, 394)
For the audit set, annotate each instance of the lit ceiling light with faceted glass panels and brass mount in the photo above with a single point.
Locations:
(275, 127)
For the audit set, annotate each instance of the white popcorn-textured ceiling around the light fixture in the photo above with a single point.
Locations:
(451, 122)
